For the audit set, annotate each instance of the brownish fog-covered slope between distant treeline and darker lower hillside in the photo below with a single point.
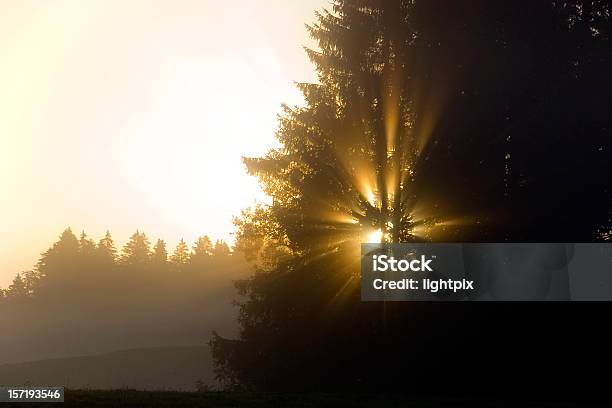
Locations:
(146, 319)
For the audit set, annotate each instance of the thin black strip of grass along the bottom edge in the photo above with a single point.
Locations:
(131, 398)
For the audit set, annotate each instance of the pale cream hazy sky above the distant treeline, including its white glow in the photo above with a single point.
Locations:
(129, 114)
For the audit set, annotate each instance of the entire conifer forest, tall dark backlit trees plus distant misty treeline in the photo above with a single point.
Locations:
(480, 121)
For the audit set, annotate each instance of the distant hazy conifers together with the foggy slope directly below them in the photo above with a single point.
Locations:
(85, 297)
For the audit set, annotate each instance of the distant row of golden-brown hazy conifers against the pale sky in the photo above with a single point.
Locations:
(78, 262)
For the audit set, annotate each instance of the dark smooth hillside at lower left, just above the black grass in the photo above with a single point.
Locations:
(169, 368)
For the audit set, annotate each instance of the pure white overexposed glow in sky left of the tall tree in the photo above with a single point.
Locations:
(185, 155)
